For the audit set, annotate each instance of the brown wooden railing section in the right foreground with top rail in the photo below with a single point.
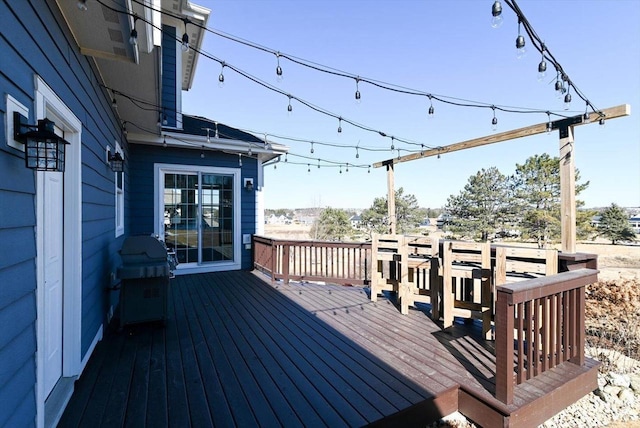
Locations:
(540, 323)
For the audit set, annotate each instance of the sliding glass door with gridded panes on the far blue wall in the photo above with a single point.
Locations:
(199, 215)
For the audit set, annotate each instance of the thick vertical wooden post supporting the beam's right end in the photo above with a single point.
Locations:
(567, 190)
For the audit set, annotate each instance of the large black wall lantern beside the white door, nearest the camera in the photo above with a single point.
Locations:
(43, 150)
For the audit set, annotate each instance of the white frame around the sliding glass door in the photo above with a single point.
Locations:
(158, 214)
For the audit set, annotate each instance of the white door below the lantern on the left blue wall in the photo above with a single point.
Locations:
(53, 263)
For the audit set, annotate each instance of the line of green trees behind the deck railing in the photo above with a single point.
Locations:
(492, 205)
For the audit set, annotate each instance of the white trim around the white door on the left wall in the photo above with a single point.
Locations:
(48, 104)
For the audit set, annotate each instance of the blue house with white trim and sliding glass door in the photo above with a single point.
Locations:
(194, 183)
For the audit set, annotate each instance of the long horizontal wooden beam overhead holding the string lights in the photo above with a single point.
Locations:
(540, 128)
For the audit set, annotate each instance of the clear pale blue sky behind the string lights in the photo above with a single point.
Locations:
(446, 48)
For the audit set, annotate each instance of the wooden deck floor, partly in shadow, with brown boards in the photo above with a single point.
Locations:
(240, 351)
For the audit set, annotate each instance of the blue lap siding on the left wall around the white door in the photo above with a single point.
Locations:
(34, 40)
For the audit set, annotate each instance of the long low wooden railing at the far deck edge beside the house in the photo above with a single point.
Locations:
(334, 262)
